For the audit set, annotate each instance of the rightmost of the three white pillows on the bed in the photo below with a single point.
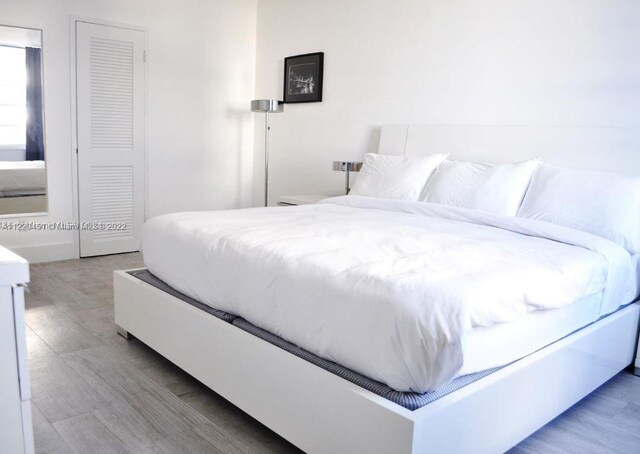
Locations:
(604, 204)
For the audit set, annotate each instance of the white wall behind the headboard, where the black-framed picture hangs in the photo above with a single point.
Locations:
(526, 62)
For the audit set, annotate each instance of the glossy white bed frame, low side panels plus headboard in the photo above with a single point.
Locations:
(322, 413)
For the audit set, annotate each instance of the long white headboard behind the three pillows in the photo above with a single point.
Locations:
(607, 149)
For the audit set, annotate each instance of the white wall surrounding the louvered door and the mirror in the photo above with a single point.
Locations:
(200, 78)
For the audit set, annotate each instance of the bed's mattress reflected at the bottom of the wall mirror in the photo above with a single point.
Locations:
(22, 178)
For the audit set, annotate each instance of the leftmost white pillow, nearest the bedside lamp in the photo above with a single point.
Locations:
(395, 177)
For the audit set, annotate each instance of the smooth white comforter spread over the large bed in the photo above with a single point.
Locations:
(385, 288)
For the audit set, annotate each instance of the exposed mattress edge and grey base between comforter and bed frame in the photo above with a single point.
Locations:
(534, 331)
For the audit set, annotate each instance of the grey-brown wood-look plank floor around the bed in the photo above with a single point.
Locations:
(94, 392)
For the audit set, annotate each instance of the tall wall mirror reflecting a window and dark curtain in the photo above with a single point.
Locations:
(23, 181)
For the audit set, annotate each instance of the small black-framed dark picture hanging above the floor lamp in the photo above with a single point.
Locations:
(303, 78)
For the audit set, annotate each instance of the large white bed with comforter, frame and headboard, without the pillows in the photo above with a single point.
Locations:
(576, 327)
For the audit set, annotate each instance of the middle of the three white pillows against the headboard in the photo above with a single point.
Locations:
(496, 188)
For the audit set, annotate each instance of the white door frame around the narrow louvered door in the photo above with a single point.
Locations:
(75, 190)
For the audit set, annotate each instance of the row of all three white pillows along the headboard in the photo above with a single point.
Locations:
(600, 203)
